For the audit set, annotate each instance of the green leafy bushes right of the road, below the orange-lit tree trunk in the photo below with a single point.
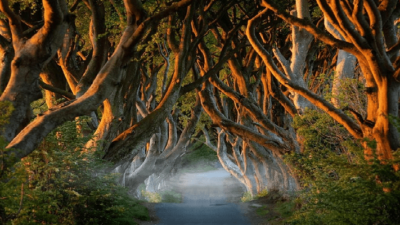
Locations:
(340, 186)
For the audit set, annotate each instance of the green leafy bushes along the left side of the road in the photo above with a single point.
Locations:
(61, 182)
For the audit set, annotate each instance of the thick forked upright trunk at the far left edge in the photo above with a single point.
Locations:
(30, 57)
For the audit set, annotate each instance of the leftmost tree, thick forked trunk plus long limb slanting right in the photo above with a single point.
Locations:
(104, 85)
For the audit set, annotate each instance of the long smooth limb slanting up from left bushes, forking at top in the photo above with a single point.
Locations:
(104, 85)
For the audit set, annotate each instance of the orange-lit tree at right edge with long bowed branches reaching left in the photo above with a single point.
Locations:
(361, 24)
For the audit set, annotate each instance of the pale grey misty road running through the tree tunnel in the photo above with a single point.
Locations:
(204, 201)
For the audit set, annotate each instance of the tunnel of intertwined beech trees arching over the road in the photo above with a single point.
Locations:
(250, 78)
